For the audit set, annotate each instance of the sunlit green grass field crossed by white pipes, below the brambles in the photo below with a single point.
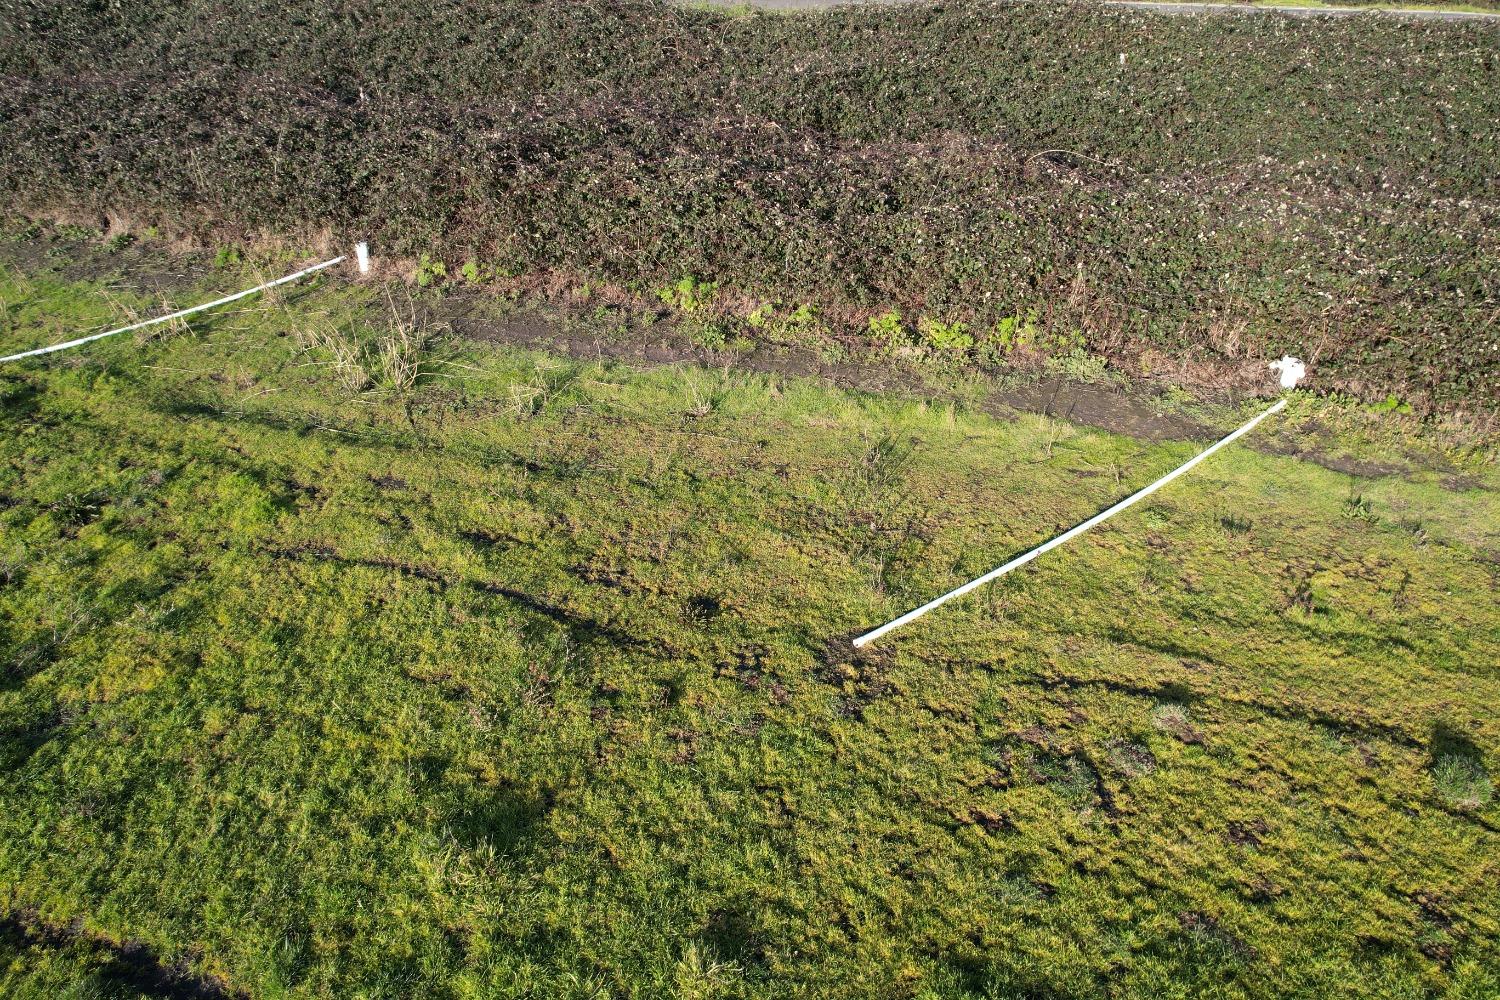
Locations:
(466, 671)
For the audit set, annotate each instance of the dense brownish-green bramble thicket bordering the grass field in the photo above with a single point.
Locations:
(1238, 187)
